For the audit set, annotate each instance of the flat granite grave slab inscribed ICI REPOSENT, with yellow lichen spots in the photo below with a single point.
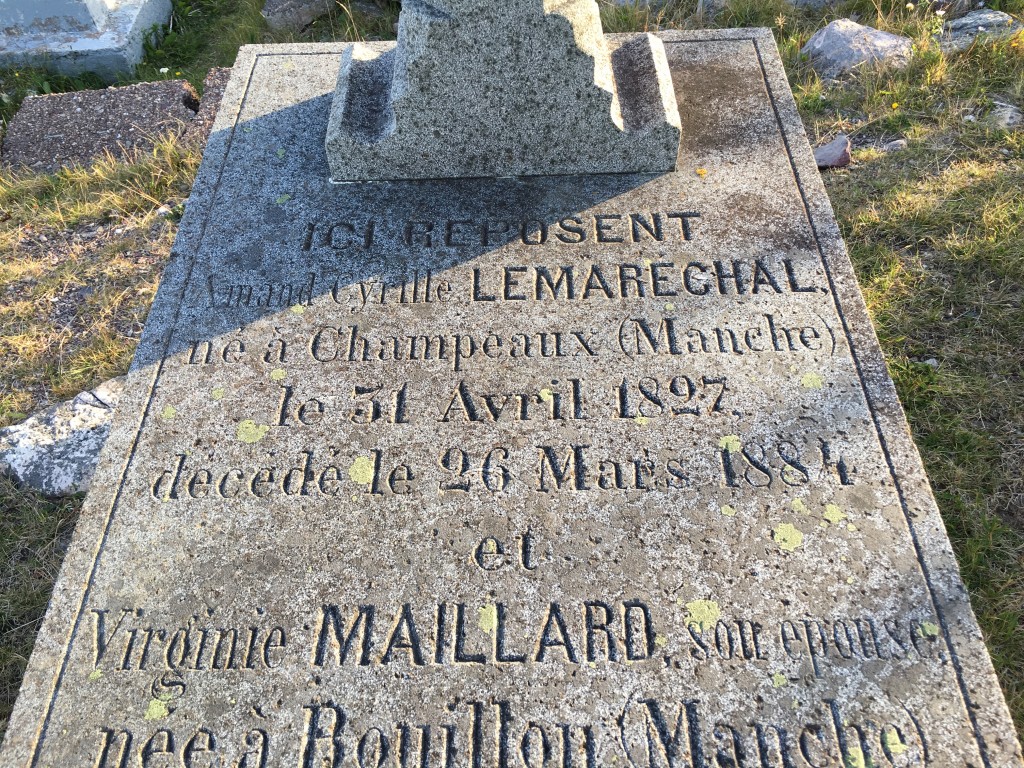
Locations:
(596, 472)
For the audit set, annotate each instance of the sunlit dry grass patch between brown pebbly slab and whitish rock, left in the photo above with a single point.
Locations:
(83, 250)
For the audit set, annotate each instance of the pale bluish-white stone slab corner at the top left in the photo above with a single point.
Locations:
(76, 36)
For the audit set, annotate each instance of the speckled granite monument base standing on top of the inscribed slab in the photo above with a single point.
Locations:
(517, 89)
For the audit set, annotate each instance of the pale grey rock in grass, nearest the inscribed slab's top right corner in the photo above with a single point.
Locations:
(844, 46)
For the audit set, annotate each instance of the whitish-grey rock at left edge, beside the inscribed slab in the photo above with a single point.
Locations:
(56, 452)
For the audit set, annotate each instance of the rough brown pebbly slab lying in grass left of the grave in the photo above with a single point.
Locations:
(65, 130)
